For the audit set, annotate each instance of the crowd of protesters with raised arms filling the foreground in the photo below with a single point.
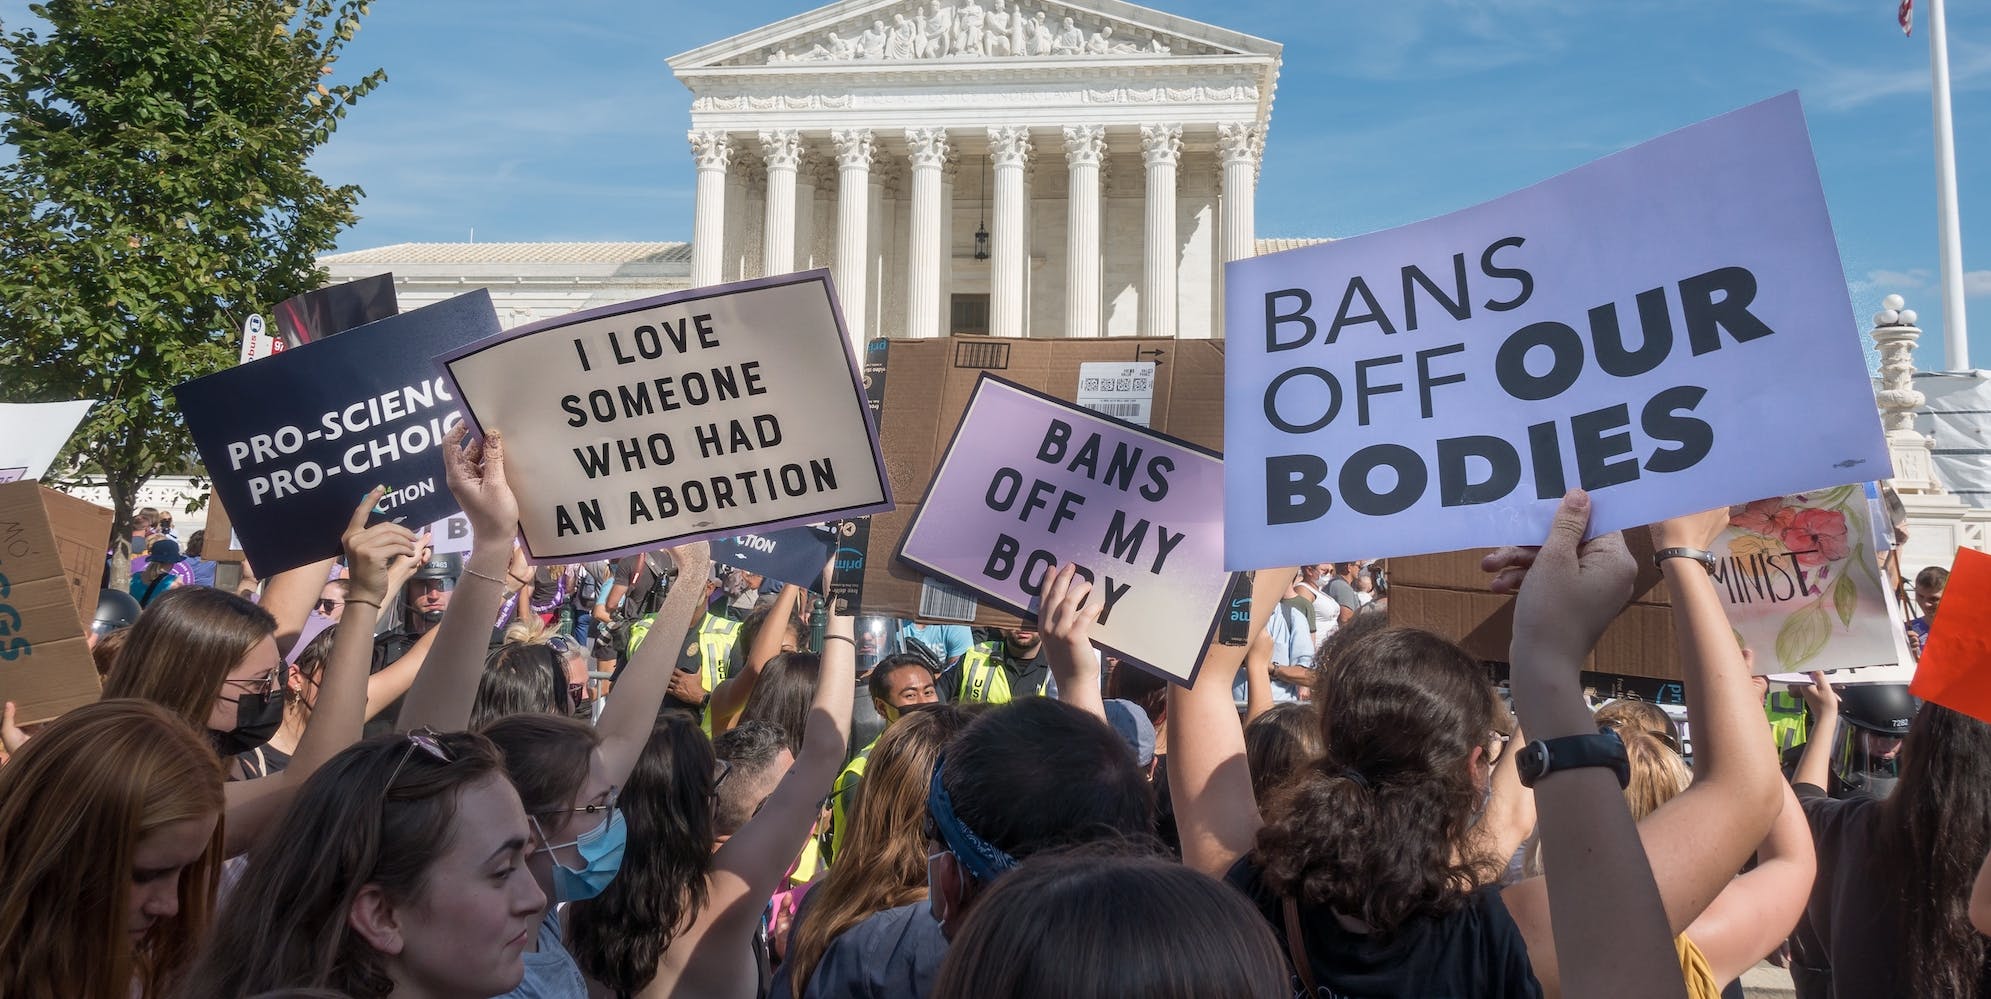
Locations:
(459, 775)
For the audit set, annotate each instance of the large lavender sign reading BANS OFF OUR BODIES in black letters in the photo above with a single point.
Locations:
(1665, 327)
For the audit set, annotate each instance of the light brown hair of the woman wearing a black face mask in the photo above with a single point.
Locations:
(184, 646)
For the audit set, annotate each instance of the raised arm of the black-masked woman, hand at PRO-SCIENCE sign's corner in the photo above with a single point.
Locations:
(339, 711)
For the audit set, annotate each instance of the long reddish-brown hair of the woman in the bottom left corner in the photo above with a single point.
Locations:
(75, 805)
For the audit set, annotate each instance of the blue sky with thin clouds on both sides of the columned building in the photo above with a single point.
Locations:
(537, 122)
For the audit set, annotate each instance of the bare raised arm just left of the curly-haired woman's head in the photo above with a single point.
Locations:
(1210, 783)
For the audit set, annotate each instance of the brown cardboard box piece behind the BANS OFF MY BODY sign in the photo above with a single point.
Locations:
(927, 387)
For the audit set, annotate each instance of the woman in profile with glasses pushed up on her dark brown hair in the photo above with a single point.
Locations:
(401, 871)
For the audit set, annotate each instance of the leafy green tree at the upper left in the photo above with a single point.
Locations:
(160, 196)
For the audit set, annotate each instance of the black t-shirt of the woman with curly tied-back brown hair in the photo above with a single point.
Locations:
(1476, 952)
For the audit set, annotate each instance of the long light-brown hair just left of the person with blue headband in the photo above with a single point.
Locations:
(885, 857)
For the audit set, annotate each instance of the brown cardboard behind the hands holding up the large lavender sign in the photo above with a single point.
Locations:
(1448, 594)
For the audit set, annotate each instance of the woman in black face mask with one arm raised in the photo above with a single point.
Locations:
(212, 660)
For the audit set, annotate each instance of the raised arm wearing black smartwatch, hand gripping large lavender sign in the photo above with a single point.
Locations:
(1608, 914)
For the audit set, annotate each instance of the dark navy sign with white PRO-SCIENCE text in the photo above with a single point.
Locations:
(292, 443)
